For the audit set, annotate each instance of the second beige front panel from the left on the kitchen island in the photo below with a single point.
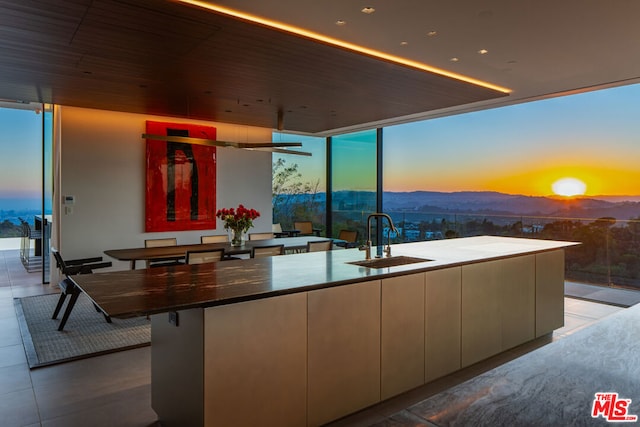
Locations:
(344, 350)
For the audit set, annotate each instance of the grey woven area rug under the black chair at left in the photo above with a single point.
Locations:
(86, 333)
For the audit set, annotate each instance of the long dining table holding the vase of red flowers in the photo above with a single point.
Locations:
(179, 251)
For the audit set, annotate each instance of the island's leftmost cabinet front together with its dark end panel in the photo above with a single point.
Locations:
(234, 365)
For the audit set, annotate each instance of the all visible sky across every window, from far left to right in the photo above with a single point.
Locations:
(522, 149)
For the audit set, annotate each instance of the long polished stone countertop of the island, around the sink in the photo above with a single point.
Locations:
(131, 293)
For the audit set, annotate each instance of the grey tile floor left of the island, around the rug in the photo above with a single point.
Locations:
(111, 390)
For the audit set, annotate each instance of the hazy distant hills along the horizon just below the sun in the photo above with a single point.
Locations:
(487, 202)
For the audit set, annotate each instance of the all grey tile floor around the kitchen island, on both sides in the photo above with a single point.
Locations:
(114, 390)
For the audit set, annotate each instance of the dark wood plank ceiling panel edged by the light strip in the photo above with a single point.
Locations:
(165, 58)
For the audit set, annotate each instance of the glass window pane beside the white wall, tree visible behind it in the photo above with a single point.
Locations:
(299, 182)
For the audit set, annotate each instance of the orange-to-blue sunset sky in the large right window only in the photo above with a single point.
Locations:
(523, 149)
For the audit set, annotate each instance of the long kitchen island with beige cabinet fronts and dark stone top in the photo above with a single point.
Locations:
(308, 338)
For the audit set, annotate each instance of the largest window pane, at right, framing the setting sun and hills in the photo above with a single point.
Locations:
(564, 168)
